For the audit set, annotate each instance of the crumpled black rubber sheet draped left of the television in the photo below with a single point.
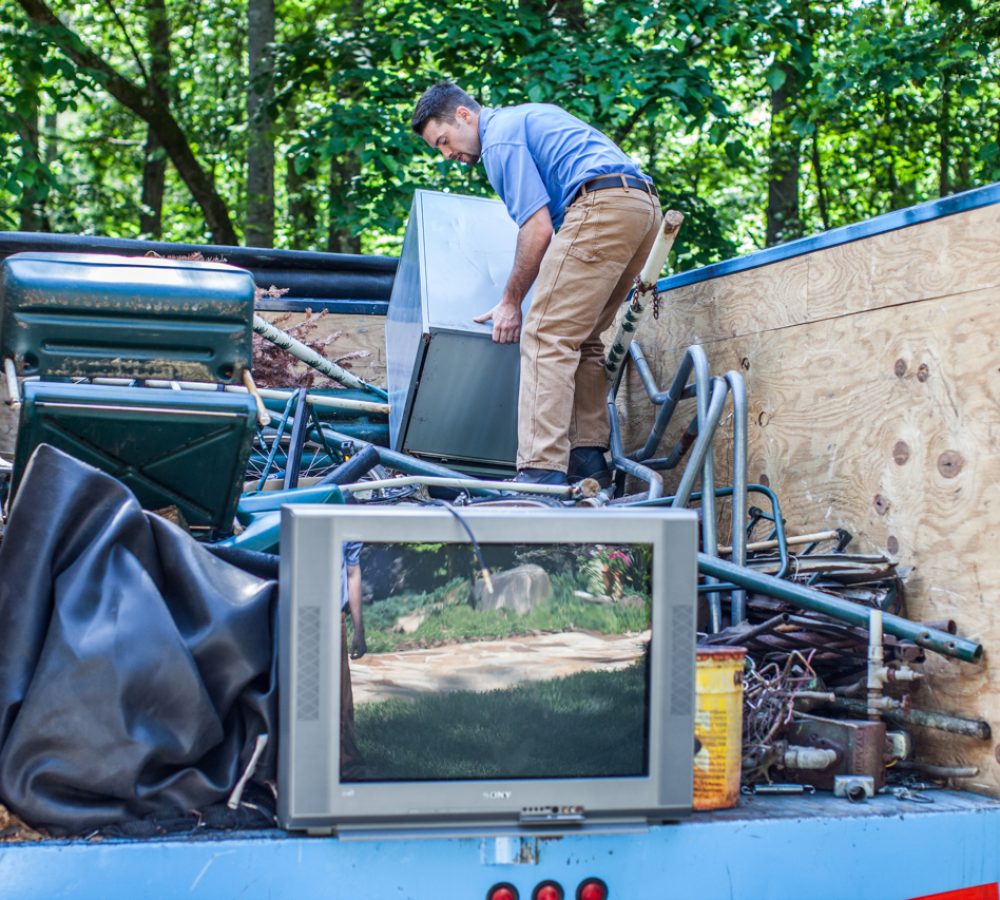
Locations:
(136, 668)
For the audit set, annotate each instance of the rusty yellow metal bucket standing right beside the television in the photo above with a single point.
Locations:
(718, 726)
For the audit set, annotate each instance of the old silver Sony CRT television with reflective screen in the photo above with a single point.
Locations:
(522, 667)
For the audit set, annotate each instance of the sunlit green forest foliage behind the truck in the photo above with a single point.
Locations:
(891, 102)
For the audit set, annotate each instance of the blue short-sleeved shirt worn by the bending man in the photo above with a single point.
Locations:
(538, 155)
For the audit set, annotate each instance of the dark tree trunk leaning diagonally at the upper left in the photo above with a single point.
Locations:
(151, 110)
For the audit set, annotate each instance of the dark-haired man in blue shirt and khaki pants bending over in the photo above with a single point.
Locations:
(586, 218)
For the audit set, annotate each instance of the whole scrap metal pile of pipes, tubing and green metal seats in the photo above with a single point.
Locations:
(830, 654)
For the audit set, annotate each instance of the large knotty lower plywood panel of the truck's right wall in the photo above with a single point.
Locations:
(887, 423)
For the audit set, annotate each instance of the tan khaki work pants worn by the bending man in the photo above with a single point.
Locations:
(585, 276)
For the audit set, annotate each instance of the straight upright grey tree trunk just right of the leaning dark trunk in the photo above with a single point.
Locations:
(260, 145)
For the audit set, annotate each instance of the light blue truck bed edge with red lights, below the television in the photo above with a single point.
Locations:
(771, 849)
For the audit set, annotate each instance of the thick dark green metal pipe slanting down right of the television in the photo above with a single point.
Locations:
(837, 608)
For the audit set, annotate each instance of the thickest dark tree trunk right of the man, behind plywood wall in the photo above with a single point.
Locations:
(783, 219)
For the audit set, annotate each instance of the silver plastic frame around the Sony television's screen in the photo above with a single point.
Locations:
(311, 796)
